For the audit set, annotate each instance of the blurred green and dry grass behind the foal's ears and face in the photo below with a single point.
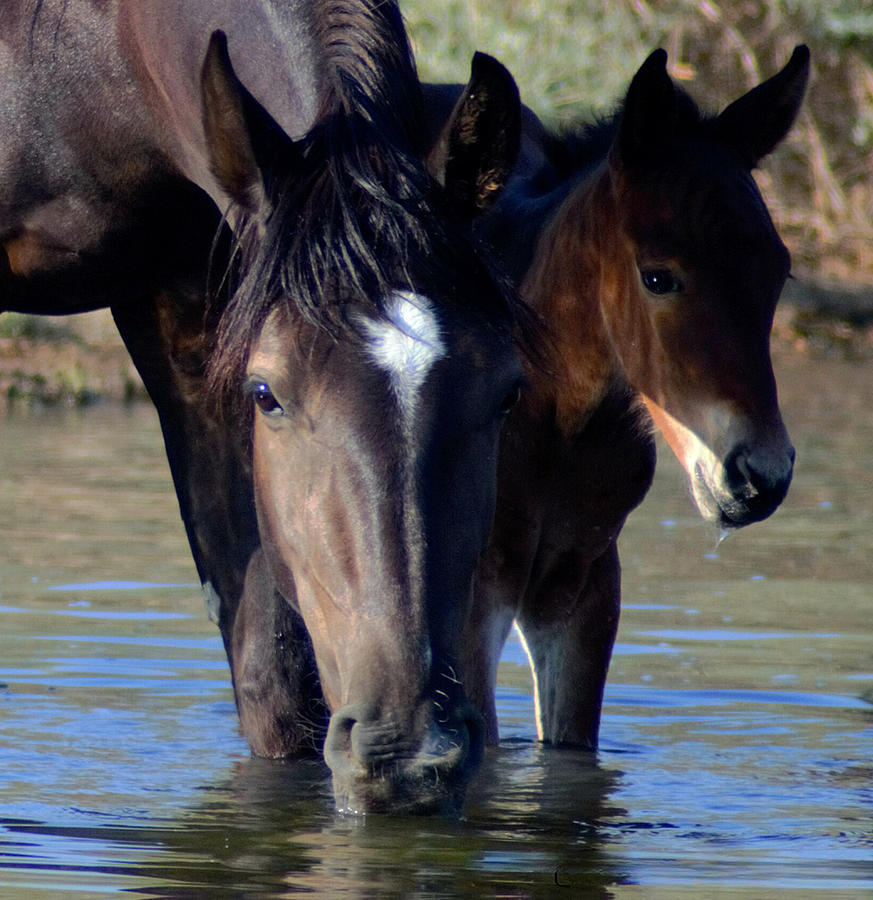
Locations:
(572, 57)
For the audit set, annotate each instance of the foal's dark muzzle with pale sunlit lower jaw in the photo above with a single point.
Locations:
(743, 483)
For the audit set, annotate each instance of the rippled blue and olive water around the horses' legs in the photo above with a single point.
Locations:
(737, 754)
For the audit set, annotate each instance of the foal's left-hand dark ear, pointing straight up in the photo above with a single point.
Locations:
(649, 112)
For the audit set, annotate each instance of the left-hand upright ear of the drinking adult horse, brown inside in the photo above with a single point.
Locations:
(242, 139)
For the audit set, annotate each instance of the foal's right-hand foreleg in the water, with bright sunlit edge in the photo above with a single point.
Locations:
(569, 655)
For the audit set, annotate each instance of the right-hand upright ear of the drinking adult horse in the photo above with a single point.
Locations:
(479, 144)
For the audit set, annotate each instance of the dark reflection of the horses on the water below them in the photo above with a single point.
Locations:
(271, 826)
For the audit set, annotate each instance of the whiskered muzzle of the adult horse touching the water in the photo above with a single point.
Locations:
(379, 767)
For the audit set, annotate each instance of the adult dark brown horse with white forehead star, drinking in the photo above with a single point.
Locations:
(371, 344)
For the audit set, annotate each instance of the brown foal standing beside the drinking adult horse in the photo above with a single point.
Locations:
(656, 268)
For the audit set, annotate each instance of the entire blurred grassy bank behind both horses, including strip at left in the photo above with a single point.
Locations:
(573, 59)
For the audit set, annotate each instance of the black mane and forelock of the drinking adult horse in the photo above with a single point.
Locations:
(354, 213)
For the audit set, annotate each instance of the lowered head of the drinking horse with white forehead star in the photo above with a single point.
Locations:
(376, 357)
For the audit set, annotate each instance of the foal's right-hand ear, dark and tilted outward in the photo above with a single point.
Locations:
(760, 119)
